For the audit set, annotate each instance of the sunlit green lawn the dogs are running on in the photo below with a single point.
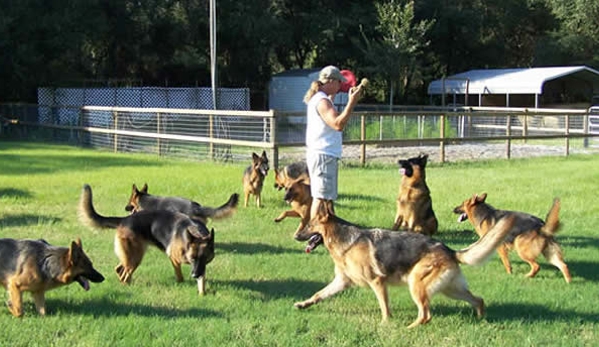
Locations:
(260, 271)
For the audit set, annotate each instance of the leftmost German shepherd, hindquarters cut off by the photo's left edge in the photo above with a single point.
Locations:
(36, 266)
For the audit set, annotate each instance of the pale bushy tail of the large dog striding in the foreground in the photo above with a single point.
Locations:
(480, 251)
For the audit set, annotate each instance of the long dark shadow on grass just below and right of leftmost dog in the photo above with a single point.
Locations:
(106, 308)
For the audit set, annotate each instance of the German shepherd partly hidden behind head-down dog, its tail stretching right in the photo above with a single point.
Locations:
(140, 200)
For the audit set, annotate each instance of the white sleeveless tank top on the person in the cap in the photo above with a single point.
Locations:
(321, 138)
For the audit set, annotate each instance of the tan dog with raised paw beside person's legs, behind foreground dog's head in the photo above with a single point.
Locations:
(298, 196)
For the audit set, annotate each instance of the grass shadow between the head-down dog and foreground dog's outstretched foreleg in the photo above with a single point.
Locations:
(277, 289)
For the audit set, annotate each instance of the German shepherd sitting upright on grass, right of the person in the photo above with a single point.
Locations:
(414, 205)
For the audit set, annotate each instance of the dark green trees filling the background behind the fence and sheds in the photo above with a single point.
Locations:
(400, 44)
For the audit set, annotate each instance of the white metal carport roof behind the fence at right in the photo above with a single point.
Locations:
(510, 81)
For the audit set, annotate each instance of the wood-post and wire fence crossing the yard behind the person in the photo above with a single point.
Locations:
(232, 135)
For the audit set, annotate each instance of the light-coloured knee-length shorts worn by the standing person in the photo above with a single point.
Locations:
(323, 171)
